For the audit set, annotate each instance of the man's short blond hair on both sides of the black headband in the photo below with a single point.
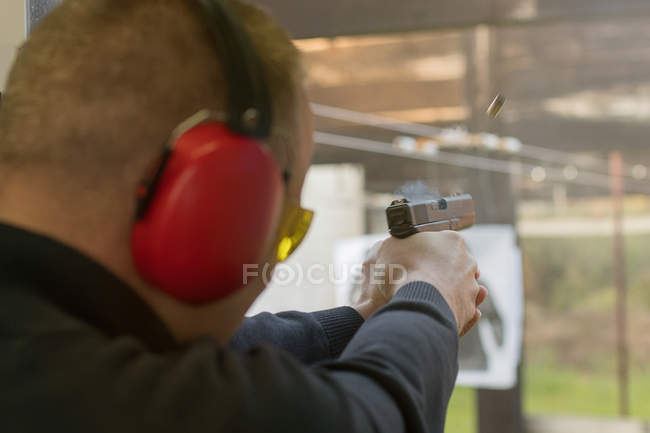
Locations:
(101, 83)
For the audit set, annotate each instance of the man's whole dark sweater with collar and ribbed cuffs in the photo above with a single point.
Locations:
(79, 352)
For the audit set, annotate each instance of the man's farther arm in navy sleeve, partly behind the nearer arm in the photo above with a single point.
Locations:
(310, 337)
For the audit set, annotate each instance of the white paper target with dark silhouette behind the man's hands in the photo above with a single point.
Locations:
(489, 354)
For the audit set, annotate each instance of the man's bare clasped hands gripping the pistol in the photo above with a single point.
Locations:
(440, 259)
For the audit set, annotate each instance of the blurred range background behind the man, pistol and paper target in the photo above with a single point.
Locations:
(400, 92)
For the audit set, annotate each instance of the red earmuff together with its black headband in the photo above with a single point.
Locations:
(210, 205)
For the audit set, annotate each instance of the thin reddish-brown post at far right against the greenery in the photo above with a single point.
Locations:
(620, 280)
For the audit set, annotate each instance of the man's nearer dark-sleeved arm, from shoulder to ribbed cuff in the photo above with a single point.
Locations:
(396, 375)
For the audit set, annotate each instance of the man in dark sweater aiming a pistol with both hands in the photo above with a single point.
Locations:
(87, 345)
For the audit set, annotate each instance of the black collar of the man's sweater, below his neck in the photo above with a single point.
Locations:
(79, 286)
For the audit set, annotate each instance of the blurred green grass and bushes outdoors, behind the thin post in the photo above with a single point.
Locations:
(570, 352)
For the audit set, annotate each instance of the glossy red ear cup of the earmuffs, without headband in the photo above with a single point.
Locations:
(208, 209)
